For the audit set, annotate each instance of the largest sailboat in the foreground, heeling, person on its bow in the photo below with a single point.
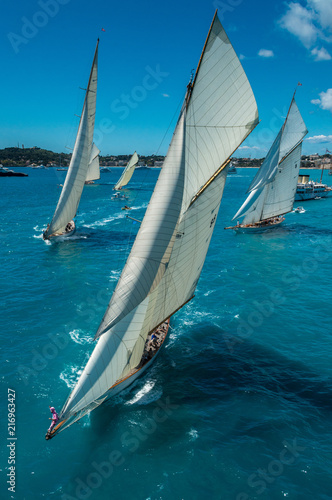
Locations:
(161, 273)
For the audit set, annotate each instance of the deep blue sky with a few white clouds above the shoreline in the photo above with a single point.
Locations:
(146, 55)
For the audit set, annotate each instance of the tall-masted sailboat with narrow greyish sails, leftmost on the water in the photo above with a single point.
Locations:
(62, 224)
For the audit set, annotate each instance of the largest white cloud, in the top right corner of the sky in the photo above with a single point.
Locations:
(311, 25)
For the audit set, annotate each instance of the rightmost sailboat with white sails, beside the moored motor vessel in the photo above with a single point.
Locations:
(273, 189)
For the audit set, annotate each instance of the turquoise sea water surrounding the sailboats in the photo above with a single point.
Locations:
(238, 404)
